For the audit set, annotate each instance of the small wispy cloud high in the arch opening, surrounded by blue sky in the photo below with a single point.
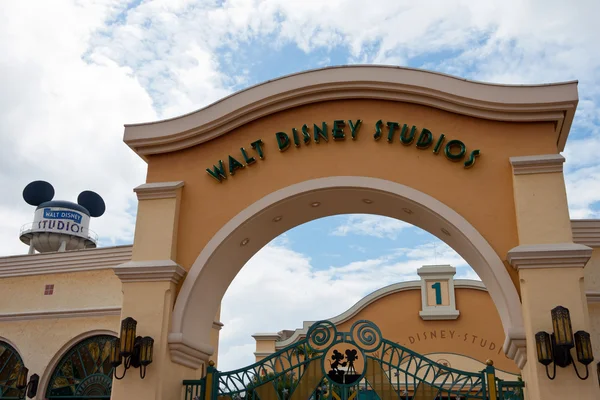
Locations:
(370, 225)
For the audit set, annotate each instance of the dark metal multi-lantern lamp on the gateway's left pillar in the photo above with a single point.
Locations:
(136, 351)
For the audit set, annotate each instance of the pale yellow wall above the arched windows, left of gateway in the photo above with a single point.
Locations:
(41, 340)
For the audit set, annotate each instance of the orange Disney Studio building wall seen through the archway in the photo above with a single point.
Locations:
(477, 333)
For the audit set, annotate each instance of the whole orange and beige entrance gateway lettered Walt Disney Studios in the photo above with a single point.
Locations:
(419, 135)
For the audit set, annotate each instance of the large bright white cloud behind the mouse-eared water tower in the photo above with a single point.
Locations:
(61, 118)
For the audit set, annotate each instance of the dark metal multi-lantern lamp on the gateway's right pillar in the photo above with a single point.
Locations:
(557, 346)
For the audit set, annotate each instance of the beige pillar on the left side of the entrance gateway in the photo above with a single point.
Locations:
(149, 291)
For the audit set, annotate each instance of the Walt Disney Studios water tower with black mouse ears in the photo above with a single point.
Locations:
(60, 225)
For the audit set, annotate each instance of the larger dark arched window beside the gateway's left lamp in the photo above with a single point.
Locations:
(84, 372)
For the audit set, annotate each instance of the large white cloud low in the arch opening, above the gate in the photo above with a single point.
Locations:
(269, 294)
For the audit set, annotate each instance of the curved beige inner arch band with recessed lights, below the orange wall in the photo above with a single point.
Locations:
(233, 245)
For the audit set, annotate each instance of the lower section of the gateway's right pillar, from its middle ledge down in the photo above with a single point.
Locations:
(552, 275)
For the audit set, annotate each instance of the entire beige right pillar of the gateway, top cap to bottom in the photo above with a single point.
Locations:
(551, 272)
